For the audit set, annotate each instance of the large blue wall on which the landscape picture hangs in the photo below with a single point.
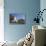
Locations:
(28, 7)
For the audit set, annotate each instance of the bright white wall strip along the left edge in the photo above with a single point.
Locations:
(1, 22)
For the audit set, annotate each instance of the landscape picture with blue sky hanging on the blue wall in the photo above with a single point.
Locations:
(17, 18)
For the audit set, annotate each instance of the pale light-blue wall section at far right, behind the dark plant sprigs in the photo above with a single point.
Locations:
(43, 6)
